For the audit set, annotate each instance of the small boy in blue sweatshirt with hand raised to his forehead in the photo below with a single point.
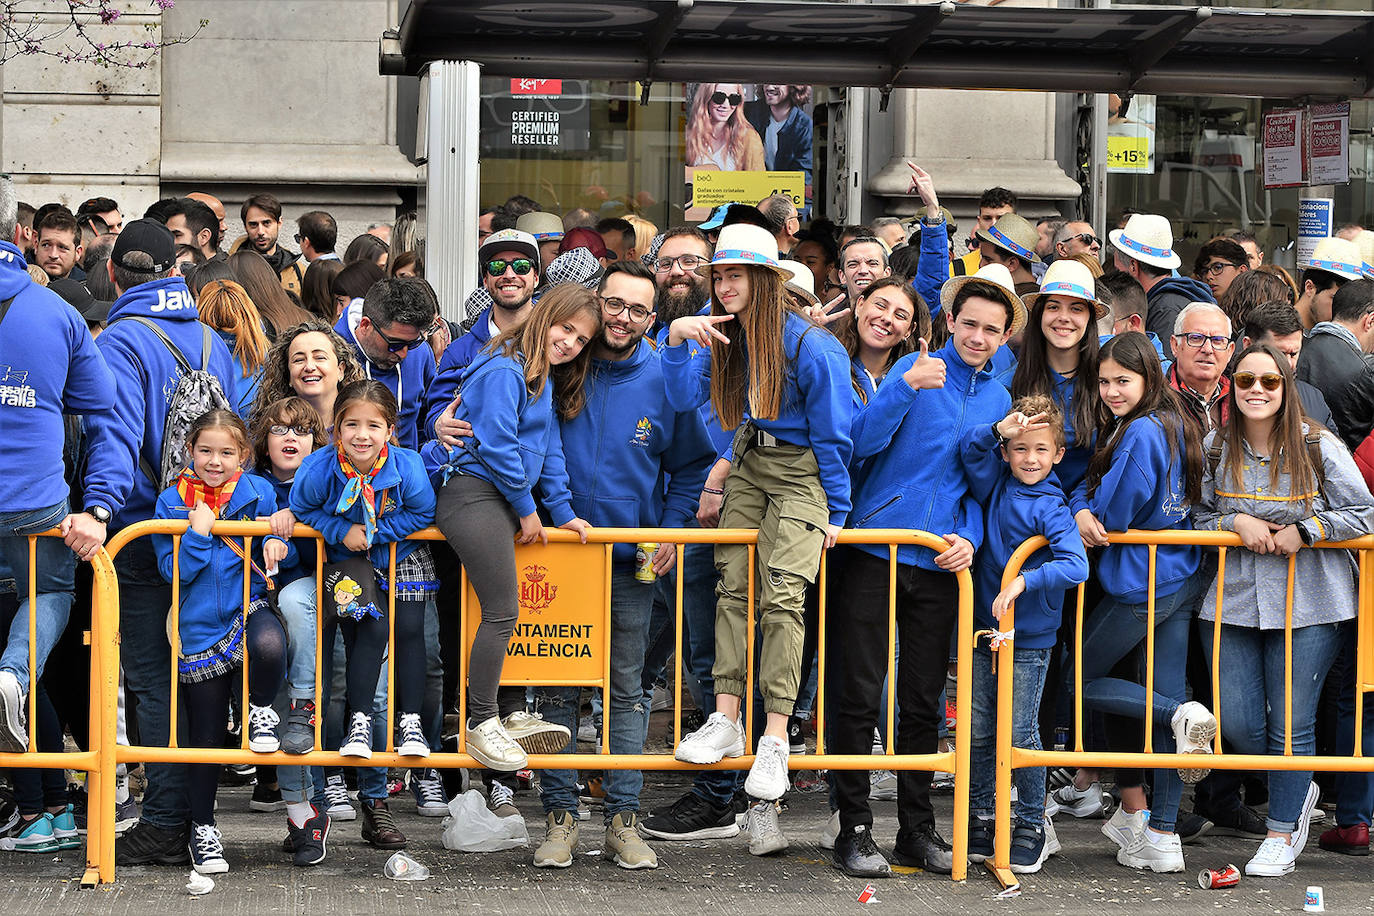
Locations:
(1009, 466)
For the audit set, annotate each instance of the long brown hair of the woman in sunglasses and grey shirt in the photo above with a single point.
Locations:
(1288, 447)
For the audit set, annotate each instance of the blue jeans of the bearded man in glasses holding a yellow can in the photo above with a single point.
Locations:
(631, 605)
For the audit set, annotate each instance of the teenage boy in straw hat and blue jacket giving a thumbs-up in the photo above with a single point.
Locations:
(909, 436)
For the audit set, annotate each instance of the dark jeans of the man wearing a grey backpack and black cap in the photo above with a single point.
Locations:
(146, 656)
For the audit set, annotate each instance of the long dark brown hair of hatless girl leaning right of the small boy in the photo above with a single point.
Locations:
(1134, 354)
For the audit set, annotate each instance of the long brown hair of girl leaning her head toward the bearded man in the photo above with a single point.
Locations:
(530, 339)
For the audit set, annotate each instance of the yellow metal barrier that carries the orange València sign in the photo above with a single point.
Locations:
(956, 762)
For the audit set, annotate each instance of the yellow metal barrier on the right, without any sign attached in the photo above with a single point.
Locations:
(1011, 759)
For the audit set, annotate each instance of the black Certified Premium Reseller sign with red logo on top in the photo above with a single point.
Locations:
(538, 115)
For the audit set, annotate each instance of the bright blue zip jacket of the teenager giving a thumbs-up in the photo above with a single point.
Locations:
(910, 443)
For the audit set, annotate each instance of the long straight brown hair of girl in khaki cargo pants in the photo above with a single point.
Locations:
(752, 370)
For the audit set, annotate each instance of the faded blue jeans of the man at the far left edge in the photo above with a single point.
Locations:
(56, 587)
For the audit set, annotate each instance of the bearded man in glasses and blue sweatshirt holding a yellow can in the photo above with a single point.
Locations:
(633, 462)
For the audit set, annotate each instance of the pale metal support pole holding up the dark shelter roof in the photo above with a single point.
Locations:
(453, 183)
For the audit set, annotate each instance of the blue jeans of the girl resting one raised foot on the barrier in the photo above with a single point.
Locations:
(1112, 632)
